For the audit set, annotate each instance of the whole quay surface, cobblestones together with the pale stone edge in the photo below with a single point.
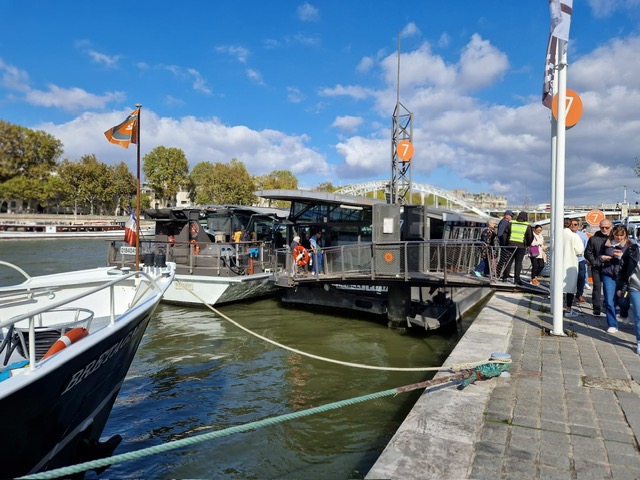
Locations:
(569, 410)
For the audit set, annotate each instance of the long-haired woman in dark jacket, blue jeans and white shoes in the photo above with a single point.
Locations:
(610, 255)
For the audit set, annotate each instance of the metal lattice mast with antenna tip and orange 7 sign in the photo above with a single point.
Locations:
(401, 148)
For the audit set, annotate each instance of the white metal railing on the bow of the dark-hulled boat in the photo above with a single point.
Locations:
(34, 321)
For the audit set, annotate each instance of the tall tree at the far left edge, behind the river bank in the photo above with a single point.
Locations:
(23, 150)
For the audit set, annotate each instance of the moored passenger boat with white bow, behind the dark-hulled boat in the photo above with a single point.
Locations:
(211, 265)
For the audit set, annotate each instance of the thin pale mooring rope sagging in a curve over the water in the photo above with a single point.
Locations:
(454, 368)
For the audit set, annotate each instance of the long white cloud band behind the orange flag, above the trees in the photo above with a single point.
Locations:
(202, 140)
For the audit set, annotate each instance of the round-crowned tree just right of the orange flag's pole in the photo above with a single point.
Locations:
(166, 171)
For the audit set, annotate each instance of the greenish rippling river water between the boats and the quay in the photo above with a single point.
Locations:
(195, 372)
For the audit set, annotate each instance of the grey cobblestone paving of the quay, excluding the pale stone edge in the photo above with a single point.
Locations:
(571, 408)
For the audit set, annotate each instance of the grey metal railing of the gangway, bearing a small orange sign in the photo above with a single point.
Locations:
(401, 260)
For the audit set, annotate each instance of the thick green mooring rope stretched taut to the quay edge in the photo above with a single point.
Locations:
(467, 376)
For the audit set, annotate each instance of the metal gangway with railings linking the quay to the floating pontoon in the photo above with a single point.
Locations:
(432, 262)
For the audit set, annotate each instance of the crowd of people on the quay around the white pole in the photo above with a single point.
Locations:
(610, 257)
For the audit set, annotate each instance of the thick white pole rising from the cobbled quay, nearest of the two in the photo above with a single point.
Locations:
(558, 208)
